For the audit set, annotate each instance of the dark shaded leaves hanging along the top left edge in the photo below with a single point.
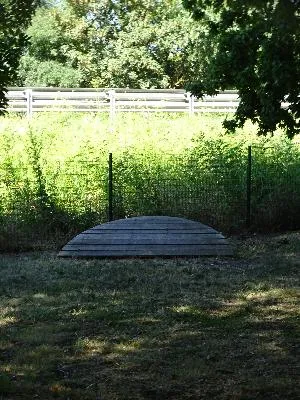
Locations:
(15, 16)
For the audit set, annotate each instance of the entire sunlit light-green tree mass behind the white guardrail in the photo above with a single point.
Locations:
(112, 44)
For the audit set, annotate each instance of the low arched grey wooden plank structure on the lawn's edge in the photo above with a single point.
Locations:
(158, 236)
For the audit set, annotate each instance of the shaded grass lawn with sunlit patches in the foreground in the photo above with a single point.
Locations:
(206, 328)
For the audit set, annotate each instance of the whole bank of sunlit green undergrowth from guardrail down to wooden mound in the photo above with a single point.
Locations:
(54, 178)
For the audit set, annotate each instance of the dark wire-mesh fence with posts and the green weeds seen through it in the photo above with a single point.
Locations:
(43, 206)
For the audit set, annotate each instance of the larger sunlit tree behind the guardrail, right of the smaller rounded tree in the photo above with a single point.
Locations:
(143, 44)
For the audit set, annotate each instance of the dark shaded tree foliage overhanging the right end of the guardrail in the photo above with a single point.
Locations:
(256, 49)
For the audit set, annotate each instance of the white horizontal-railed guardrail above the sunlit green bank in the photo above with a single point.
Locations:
(30, 100)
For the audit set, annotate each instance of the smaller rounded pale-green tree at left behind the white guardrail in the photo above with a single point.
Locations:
(57, 42)
